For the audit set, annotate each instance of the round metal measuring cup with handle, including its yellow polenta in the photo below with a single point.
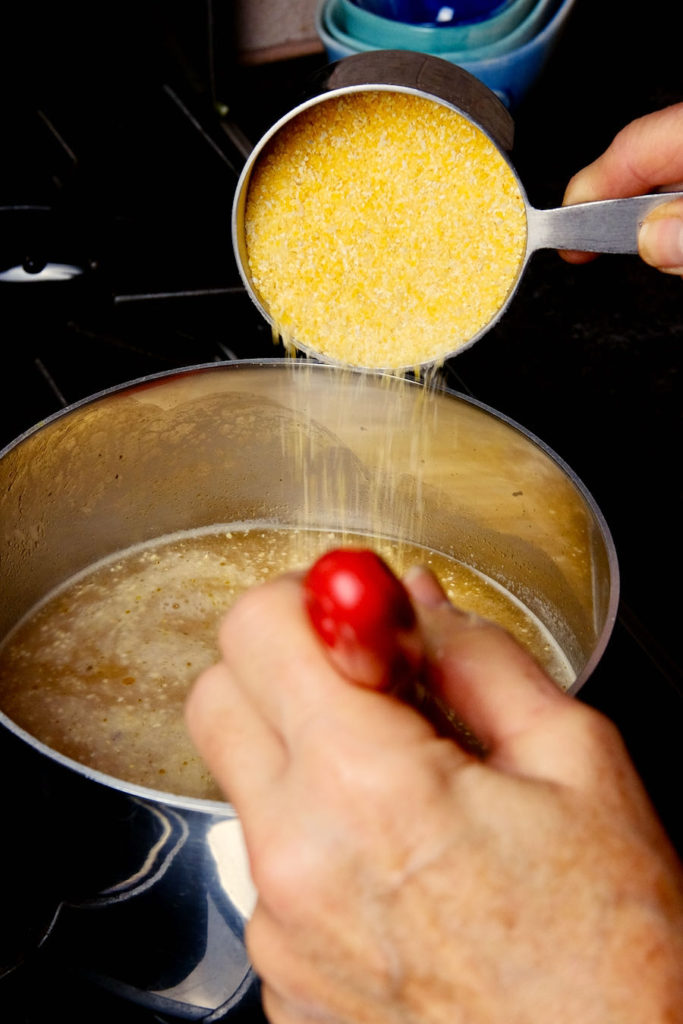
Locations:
(381, 224)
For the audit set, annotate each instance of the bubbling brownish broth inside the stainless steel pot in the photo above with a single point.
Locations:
(101, 670)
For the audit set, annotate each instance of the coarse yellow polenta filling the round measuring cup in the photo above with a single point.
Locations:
(383, 230)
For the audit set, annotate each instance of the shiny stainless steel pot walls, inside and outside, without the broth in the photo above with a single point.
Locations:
(151, 890)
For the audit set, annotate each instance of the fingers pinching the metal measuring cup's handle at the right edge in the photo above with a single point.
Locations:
(646, 157)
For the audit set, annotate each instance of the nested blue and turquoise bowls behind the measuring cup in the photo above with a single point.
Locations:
(505, 44)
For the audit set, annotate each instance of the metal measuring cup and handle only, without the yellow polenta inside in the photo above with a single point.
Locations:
(605, 227)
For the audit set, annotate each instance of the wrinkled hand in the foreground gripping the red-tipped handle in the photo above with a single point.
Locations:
(405, 881)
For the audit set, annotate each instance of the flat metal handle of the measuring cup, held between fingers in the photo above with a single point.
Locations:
(605, 227)
